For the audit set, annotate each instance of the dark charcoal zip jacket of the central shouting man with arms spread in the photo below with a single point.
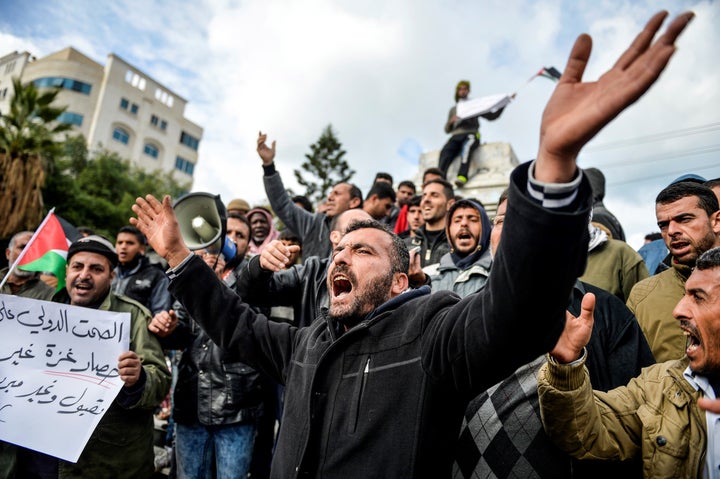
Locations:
(386, 398)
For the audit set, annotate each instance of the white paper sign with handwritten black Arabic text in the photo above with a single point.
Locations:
(58, 372)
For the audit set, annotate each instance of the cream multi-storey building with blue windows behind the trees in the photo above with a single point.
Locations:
(115, 105)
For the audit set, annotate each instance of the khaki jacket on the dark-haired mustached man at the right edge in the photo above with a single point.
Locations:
(652, 301)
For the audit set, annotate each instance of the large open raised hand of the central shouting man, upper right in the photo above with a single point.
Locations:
(577, 111)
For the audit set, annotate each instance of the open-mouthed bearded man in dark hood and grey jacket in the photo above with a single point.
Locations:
(465, 268)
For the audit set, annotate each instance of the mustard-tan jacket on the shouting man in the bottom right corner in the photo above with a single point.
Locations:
(655, 416)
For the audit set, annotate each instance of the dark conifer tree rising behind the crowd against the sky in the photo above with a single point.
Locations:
(325, 165)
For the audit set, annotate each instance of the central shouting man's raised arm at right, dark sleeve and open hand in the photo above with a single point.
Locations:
(523, 303)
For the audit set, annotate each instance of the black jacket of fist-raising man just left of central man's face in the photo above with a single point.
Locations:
(303, 287)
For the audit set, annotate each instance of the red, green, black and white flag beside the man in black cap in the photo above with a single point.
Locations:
(47, 249)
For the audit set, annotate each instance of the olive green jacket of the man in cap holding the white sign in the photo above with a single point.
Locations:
(122, 444)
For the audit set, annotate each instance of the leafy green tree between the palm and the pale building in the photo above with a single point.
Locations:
(97, 190)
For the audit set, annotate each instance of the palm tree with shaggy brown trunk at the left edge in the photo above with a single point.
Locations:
(27, 146)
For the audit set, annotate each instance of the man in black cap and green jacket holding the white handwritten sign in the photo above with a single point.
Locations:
(121, 445)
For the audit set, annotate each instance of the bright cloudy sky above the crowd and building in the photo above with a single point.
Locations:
(382, 72)
